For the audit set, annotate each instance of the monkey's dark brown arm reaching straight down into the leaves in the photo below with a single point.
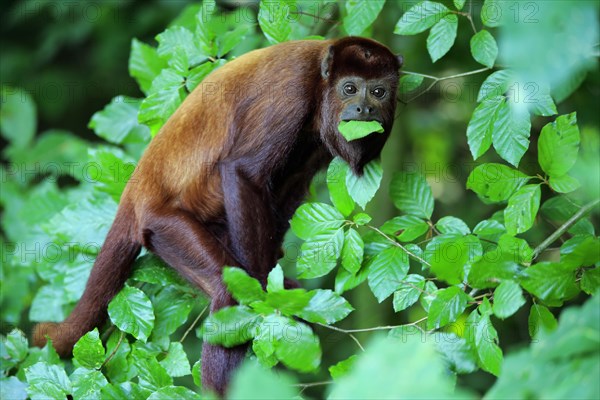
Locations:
(250, 219)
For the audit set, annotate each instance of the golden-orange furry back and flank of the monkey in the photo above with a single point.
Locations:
(225, 117)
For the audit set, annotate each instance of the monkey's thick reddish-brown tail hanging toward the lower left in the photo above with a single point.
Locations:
(110, 271)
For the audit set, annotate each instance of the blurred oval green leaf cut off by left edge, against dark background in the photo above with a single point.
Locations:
(18, 119)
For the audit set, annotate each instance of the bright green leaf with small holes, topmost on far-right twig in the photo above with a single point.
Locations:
(558, 145)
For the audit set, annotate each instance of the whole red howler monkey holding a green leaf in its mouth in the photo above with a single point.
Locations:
(219, 183)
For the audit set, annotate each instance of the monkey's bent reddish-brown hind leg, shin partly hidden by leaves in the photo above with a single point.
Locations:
(187, 246)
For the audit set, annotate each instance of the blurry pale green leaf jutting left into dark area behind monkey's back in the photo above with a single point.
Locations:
(118, 121)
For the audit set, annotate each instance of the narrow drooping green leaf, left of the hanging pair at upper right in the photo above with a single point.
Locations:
(481, 126)
